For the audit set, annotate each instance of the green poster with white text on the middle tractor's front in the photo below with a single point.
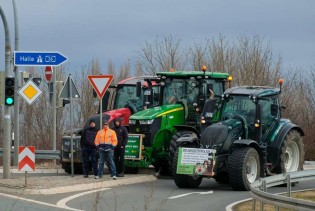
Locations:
(133, 147)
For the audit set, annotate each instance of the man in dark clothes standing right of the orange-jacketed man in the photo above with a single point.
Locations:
(119, 151)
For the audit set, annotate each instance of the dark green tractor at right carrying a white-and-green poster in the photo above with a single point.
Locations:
(250, 141)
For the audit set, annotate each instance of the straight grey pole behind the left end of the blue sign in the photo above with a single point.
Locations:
(16, 95)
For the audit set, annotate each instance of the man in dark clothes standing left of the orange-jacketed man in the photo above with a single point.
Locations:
(89, 149)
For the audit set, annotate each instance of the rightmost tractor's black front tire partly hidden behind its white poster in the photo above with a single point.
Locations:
(181, 180)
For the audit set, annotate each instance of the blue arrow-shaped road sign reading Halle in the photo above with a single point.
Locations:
(32, 58)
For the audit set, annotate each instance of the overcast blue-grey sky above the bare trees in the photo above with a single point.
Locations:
(84, 30)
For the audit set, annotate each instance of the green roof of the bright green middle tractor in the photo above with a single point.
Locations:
(188, 74)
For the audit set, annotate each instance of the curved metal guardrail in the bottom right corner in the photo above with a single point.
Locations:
(259, 191)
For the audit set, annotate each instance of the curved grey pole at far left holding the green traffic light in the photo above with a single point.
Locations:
(7, 109)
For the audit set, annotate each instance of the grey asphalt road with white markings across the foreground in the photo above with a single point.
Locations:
(161, 194)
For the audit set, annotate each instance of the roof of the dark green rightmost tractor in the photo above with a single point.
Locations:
(259, 91)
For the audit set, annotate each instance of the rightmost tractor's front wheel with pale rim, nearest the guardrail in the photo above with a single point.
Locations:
(244, 168)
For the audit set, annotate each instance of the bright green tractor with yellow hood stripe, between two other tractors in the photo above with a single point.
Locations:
(181, 99)
